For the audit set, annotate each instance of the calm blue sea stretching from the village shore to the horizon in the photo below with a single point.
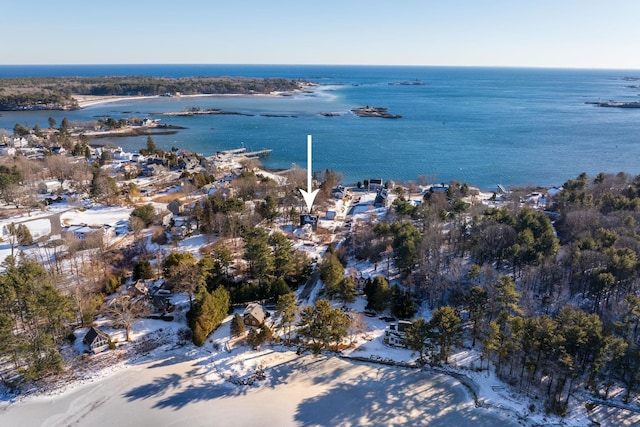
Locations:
(484, 126)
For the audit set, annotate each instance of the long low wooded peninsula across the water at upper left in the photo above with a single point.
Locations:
(58, 93)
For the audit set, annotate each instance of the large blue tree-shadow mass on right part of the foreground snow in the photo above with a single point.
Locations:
(393, 396)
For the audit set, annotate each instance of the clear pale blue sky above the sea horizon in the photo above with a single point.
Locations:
(516, 33)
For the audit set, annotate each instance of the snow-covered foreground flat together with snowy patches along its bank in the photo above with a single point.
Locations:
(222, 385)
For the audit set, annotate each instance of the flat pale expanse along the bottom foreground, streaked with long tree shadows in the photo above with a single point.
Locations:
(297, 391)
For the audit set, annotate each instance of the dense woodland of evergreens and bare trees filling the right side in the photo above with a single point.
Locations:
(554, 306)
